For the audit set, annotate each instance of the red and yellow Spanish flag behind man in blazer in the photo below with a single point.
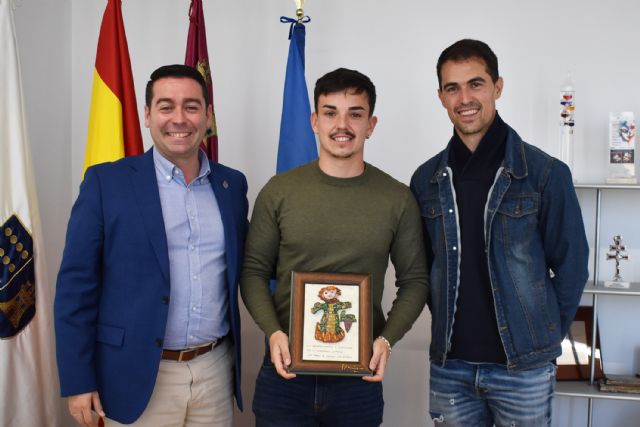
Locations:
(114, 127)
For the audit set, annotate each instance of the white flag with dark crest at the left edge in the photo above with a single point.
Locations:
(29, 392)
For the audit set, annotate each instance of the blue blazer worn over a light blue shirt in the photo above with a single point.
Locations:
(112, 295)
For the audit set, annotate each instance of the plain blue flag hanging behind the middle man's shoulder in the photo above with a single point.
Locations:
(297, 144)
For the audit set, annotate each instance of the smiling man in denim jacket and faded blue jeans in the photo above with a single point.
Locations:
(507, 252)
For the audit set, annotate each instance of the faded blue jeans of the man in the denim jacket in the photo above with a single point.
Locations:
(484, 394)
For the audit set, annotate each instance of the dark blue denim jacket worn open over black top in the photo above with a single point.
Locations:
(535, 244)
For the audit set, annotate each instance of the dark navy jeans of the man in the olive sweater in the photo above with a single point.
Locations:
(312, 401)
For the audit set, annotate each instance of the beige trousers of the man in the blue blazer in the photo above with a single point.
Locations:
(191, 394)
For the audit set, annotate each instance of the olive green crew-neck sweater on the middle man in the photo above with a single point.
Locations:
(305, 220)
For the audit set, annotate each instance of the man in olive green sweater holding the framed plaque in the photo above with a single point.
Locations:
(336, 215)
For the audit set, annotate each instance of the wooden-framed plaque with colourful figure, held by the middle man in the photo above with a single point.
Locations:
(330, 326)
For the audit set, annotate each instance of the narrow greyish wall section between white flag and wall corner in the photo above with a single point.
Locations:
(45, 58)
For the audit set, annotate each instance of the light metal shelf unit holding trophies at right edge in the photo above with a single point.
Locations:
(589, 390)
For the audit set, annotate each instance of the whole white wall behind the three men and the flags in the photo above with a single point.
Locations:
(397, 45)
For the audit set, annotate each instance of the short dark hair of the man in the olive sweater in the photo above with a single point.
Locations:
(344, 79)
